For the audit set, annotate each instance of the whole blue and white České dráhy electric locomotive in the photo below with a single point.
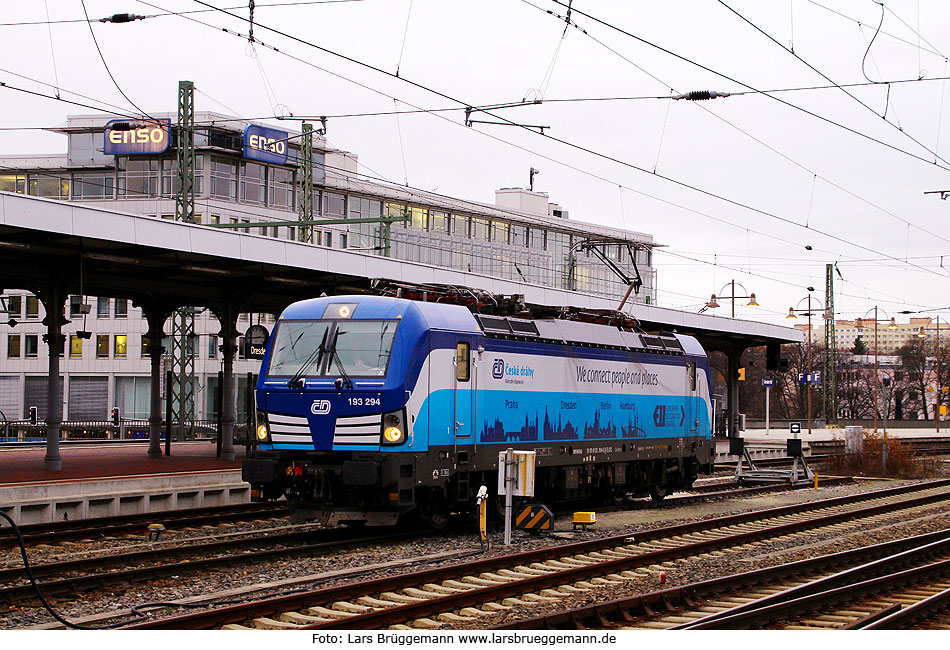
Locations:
(371, 408)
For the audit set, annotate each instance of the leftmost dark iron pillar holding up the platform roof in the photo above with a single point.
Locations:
(53, 297)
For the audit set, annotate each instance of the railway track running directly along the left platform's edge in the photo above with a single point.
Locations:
(137, 524)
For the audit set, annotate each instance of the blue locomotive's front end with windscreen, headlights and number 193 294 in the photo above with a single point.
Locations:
(334, 435)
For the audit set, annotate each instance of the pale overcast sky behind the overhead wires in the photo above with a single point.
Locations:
(734, 188)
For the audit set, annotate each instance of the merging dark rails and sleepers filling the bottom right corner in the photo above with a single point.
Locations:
(885, 586)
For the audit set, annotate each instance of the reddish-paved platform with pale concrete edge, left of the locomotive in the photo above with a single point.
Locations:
(105, 480)
